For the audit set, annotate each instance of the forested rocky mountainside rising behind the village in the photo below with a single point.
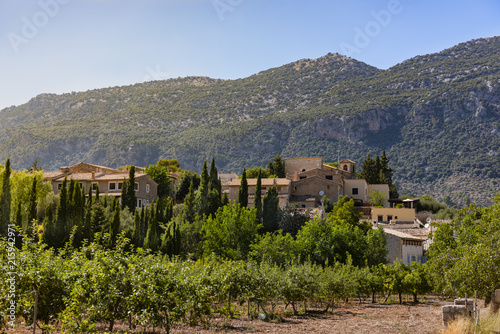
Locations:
(437, 116)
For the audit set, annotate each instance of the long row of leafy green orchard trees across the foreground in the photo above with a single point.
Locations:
(79, 288)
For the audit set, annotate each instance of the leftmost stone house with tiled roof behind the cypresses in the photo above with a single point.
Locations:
(108, 180)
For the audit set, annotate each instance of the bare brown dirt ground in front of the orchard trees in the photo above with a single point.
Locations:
(421, 318)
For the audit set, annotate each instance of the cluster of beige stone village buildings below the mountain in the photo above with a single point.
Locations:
(307, 183)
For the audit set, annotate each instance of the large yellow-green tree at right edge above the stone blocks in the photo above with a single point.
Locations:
(465, 254)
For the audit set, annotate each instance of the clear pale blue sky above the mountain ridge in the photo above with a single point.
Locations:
(58, 46)
